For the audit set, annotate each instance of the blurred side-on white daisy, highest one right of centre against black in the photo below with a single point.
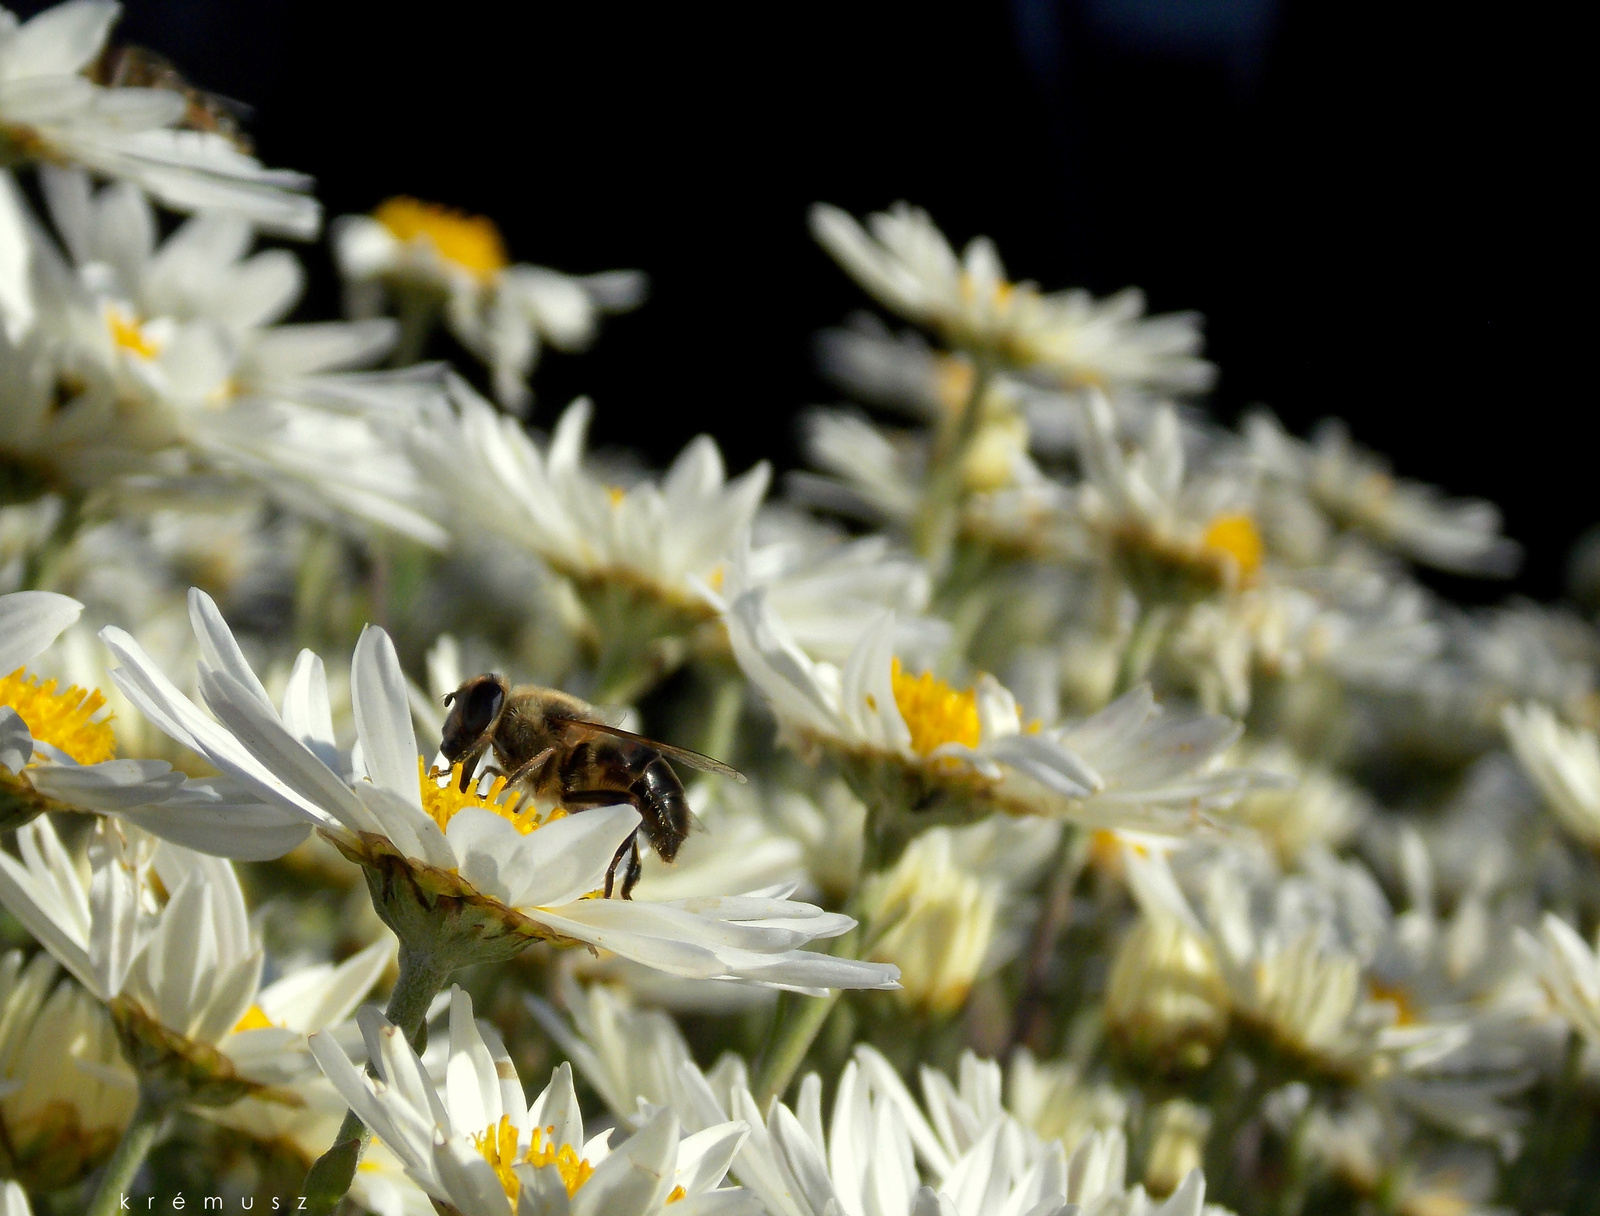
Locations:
(1068, 335)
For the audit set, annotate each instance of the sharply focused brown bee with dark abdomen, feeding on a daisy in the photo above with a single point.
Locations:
(559, 746)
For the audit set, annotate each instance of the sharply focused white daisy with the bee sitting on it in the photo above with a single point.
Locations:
(487, 862)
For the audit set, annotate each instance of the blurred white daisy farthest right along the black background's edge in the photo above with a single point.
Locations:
(1358, 490)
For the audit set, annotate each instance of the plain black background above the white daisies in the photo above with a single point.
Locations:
(1375, 206)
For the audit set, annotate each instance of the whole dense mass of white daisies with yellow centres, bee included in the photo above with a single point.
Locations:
(1050, 802)
